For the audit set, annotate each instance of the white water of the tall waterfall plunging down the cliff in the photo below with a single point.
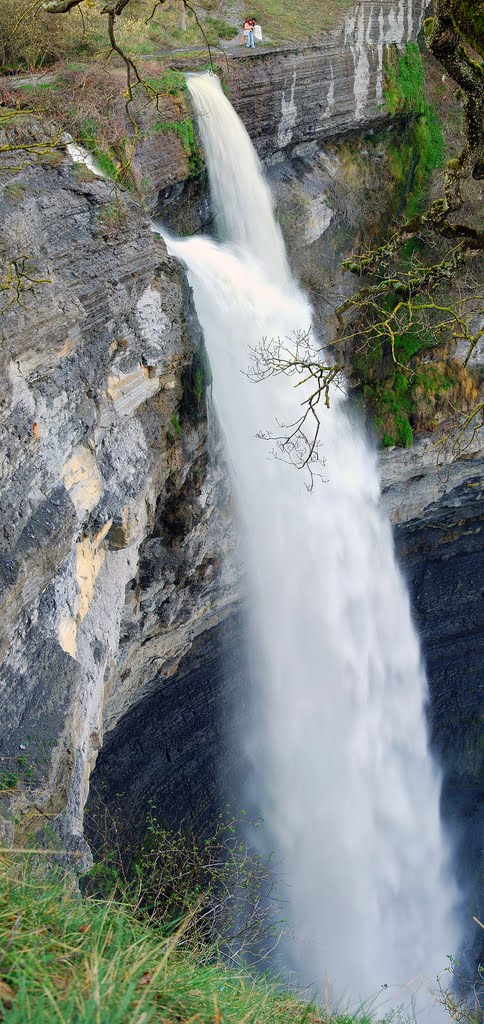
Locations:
(342, 773)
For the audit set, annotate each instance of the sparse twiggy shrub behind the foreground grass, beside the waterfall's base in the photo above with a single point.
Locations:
(219, 890)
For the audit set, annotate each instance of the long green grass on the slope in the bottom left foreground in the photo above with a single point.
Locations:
(69, 959)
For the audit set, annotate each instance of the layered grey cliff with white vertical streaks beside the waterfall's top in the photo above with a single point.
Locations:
(318, 93)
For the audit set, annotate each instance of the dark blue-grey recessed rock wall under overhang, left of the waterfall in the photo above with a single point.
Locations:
(177, 753)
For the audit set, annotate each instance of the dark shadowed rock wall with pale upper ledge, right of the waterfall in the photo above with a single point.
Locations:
(438, 516)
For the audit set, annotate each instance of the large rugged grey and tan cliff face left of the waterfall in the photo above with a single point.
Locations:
(116, 533)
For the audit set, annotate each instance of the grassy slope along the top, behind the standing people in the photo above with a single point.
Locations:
(31, 38)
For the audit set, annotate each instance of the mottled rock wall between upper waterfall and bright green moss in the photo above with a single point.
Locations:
(334, 198)
